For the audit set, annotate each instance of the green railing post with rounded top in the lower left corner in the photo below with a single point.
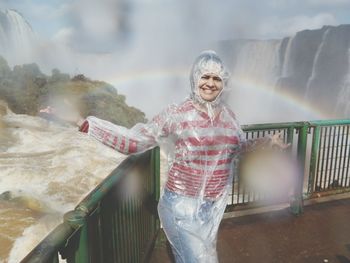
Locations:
(80, 253)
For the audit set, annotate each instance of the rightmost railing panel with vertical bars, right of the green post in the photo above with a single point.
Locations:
(329, 164)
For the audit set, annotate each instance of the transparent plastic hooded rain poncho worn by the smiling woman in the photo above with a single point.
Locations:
(205, 139)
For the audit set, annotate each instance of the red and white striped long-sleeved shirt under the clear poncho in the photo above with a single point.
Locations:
(204, 147)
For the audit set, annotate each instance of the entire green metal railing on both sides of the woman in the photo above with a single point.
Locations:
(118, 221)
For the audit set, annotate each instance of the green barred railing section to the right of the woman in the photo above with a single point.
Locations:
(322, 149)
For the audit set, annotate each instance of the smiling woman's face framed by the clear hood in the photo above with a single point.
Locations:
(210, 86)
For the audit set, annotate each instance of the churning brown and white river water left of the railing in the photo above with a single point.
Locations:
(48, 168)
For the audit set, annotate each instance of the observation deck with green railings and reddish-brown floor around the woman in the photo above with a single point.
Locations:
(118, 221)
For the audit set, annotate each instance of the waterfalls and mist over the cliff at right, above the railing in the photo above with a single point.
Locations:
(312, 66)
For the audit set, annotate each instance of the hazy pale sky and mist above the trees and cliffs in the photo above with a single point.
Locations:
(144, 44)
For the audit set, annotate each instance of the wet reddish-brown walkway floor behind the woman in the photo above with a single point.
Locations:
(321, 234)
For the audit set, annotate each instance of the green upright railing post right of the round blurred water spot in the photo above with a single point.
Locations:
(296, 204)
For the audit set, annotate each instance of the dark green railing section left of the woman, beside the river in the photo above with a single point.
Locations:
(117, 222)
